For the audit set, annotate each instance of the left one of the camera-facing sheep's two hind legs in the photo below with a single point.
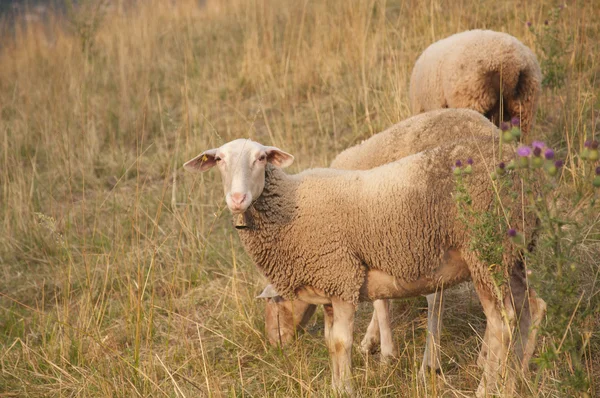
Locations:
(499, 326)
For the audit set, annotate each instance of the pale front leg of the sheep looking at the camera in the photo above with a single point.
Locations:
(339, 342)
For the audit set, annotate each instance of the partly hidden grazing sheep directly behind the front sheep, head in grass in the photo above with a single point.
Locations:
(418, 133)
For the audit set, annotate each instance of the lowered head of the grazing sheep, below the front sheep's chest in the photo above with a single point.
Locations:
(283, 317)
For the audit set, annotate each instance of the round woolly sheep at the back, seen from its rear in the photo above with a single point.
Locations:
(490, 72)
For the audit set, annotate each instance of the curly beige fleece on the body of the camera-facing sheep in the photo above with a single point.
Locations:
(322, 228)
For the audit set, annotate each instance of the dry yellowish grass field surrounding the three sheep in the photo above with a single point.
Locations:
(120, 275)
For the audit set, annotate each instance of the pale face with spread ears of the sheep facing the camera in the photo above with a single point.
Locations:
(242, 165)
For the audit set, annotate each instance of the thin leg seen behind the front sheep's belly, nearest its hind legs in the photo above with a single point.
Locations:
(431, 357)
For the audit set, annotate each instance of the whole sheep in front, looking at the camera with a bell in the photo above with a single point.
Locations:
(335, 237)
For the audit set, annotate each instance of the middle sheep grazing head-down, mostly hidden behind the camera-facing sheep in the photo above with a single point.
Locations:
(413, 135)
